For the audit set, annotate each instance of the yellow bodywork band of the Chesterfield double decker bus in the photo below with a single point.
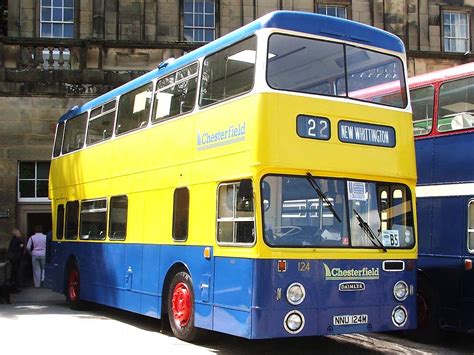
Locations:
(245, 137)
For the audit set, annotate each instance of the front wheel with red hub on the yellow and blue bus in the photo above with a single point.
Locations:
(181, 307)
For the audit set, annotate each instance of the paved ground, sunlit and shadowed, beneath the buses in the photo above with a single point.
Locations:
(39, 322)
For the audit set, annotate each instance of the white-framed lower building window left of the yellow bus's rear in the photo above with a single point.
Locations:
(33, 181)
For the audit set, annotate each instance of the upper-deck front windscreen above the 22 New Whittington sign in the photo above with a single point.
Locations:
(321, 67)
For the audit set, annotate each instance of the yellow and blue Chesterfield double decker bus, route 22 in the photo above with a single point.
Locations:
(243, 188)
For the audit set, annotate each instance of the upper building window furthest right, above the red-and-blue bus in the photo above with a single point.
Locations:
(455, 31)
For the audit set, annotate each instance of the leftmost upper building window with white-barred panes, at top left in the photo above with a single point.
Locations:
(57, 19)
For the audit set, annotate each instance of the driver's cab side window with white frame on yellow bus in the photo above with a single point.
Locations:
(235, 216)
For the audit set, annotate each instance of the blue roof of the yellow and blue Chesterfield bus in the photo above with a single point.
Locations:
(311, 23)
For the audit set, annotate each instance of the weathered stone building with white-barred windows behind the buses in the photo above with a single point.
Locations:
(55, 54)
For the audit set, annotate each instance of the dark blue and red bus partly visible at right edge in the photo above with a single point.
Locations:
(443, 121)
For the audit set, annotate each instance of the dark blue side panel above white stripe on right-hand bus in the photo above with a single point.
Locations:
(453, 158)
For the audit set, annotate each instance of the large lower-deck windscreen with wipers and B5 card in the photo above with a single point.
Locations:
(304, 211)
